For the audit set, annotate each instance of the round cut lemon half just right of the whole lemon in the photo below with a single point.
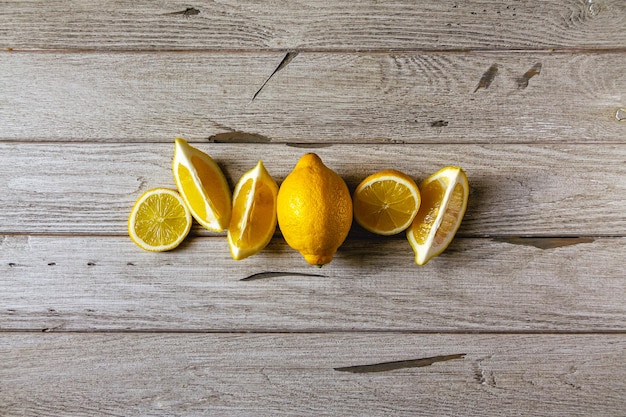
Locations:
(386, 202)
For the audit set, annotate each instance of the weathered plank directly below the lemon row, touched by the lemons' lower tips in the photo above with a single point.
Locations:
(75, 283)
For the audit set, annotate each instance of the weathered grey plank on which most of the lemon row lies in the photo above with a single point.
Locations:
(530, 190)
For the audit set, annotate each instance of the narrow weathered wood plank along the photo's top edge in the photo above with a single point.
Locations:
(315, 24)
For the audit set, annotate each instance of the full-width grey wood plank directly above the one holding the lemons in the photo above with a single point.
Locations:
(316, 98)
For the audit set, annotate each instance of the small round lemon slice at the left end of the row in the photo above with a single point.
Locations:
(159, 220)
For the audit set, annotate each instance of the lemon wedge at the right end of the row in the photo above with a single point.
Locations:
(444, 201)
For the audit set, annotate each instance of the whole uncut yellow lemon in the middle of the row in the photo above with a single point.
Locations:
(314, 210)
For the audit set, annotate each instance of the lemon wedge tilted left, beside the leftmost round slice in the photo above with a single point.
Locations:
(202, 185)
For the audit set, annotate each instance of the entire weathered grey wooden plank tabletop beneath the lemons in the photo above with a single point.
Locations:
(524, 314)
